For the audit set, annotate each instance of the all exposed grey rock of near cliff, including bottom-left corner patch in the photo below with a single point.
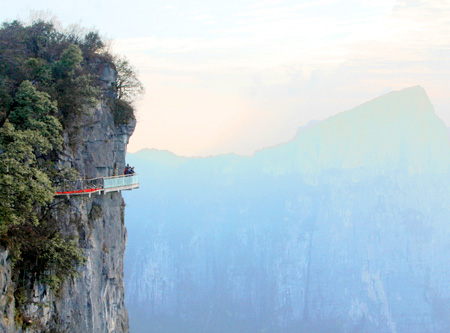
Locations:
(94, 301)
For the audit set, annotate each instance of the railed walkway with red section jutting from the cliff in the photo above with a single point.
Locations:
(101, 185)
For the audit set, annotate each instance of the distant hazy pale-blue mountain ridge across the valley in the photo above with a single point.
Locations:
(344, 229)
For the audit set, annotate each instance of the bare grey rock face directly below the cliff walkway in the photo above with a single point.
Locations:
(95, 301)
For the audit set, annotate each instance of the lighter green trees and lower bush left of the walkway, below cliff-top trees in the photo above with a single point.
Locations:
(27, 139)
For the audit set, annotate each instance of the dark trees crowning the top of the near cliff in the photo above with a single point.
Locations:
(67, 66)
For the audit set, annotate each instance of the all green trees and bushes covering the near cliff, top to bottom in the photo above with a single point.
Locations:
(48, 80)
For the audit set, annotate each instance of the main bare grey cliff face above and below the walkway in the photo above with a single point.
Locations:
(95, 301)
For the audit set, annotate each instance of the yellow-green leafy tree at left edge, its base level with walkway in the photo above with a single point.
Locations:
(30, 133)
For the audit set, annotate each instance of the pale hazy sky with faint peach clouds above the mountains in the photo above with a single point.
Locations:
(239, 75)
